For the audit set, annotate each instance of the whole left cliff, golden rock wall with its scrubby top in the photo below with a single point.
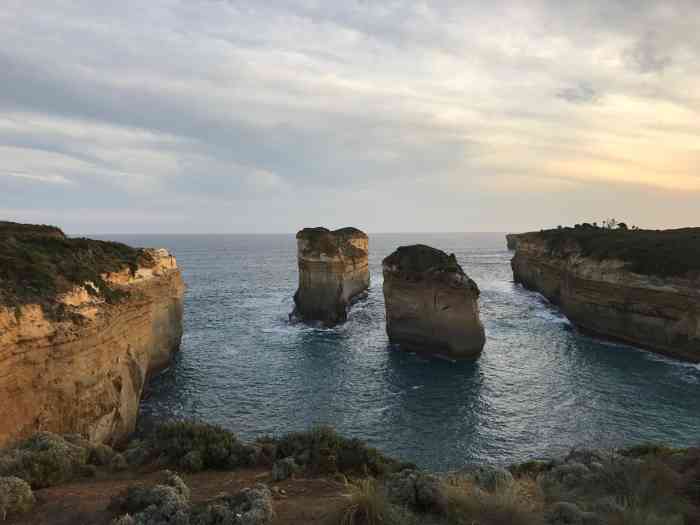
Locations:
(75, 353)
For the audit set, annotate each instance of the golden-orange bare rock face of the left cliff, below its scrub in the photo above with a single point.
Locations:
(84, 372)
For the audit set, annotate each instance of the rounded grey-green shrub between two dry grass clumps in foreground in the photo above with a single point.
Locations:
(417, 490)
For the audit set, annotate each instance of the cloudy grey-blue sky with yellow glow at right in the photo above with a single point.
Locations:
(266, 116)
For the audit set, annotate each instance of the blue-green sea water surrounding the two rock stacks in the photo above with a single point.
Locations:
(539, 388)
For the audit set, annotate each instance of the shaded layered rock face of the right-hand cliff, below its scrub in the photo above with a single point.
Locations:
(605, 298)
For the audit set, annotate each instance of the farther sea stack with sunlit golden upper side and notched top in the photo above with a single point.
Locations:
(333, 270)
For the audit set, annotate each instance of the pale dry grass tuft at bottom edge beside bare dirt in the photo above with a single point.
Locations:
(369, 505)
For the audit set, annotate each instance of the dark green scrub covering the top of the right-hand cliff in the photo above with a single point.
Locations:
(662, 253)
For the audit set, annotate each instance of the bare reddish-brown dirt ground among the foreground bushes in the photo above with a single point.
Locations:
(299, 501)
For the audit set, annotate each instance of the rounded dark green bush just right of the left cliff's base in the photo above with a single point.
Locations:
(194, 445)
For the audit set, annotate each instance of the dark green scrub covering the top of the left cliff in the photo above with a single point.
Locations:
(38, 262)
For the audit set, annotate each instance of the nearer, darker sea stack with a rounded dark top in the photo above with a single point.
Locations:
(431, 304)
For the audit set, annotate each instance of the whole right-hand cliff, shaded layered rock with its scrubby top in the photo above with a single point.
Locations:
(639, 287)
